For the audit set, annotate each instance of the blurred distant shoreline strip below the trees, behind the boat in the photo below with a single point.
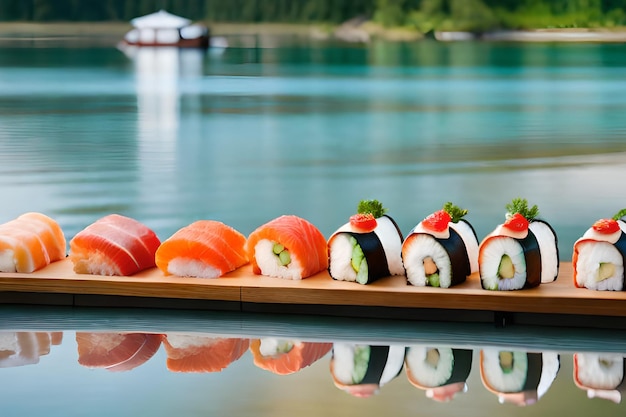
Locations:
(348, 32)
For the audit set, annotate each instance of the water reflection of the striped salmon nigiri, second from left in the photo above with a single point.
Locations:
(116, 352)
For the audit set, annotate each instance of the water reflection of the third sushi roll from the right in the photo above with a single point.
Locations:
(440, 371)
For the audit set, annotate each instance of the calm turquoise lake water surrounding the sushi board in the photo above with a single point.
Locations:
(303, 128)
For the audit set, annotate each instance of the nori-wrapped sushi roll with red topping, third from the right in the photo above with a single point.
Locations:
(441, 250)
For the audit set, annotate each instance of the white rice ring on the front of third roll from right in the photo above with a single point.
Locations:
(418, 247)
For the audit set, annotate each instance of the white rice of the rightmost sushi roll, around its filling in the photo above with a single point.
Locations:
(590, 255)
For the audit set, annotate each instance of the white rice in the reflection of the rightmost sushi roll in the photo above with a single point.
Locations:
(600, 371)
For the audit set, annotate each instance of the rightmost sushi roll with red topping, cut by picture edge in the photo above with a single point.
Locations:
(599, 255)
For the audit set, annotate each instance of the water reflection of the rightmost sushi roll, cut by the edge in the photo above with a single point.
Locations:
(601, 374)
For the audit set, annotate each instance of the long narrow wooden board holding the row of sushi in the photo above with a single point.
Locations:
(245, 288)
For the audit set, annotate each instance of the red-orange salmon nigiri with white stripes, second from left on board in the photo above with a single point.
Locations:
(114, 245)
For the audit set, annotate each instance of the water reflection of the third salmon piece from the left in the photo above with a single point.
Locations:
(190, 353)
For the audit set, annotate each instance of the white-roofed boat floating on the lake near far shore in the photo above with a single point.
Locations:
(166, 29)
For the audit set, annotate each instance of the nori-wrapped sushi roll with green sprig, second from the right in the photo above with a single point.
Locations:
(521, 253)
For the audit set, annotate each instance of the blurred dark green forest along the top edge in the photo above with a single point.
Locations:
(421, 15)
